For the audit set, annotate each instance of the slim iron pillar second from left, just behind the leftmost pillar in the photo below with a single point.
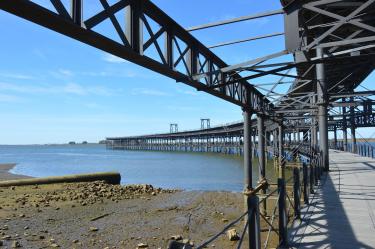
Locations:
(262, 156)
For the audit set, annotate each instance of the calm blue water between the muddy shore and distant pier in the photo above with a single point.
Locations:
(189, 171)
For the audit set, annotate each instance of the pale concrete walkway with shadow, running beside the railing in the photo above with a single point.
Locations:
(342, 211)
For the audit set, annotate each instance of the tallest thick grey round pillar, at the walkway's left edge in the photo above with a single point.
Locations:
(322, 109)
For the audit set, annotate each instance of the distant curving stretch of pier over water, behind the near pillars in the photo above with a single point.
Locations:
(228, 138)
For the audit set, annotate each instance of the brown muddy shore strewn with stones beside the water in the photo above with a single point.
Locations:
(100, 215)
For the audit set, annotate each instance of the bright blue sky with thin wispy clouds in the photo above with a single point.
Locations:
(54, 89)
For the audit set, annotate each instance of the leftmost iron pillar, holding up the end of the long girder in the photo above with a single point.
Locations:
(253, 224)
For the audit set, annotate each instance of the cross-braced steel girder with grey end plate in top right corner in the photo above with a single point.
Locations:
(298, 31)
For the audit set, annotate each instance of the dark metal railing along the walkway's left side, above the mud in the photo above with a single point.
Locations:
(288, 196)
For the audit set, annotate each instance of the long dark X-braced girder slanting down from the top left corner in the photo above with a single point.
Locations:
(180, 57)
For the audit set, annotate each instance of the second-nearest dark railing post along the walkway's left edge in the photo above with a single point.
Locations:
(283, 231)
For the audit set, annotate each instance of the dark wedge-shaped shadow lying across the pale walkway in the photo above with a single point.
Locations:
(325, 223)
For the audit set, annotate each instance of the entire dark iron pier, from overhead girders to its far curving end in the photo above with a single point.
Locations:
(328, 52)
